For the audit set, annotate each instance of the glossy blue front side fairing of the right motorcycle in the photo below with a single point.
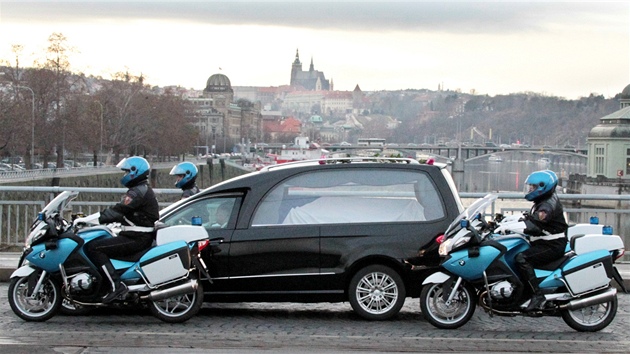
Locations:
(469, 267)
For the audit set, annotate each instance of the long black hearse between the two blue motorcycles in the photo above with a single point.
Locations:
(329, 230)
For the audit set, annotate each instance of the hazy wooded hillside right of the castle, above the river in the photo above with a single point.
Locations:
(432, 117)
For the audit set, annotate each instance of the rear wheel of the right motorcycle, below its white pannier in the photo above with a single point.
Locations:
(591, 318)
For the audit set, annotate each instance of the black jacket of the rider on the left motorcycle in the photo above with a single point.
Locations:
(139, 207)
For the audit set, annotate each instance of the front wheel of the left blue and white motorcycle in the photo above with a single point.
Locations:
(38, 307)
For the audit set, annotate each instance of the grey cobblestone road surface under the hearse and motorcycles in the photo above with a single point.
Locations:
(312, 328)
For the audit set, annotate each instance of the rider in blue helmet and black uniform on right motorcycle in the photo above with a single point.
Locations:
(546, 227)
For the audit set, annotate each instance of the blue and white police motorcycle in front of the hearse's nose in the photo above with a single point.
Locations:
(54, 268)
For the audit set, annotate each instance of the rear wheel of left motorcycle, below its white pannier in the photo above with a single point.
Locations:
(178, 308)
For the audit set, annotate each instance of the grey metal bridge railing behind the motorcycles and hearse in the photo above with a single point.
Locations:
(16, 216)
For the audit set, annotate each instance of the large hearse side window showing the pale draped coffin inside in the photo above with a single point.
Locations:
(351, 196)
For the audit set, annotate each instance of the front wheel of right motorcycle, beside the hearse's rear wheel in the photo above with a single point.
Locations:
(447, 316)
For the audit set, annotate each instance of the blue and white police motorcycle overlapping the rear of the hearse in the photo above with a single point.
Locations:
(478, 267)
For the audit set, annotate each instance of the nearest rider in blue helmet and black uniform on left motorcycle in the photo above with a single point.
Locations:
(137, 212)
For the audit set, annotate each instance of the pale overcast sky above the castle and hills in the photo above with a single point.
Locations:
(568, 49)
